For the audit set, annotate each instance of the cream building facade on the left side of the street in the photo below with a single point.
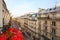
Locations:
(4, 14)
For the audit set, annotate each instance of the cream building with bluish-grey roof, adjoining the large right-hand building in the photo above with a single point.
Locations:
(33, 26)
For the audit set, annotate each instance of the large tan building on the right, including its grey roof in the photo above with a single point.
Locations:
(49, 24)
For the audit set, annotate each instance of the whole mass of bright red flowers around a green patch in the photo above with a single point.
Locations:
(12, 34)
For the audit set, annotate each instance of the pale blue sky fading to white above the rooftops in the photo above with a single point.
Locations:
(21, 7)
